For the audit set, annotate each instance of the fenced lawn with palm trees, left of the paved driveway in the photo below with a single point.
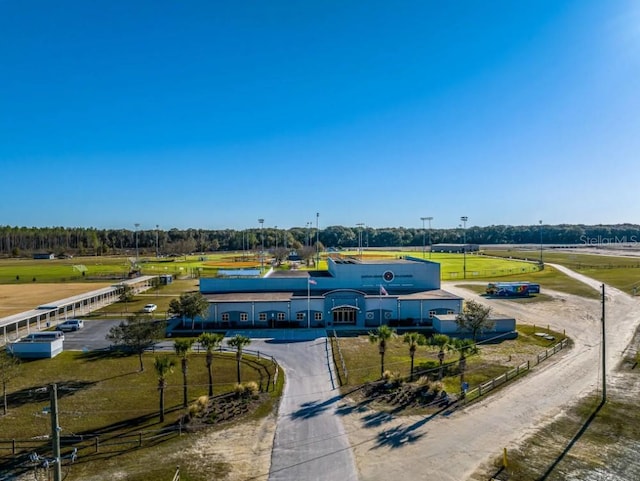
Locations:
(98, 389)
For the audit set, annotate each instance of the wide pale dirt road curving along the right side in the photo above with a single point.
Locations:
(452, 447)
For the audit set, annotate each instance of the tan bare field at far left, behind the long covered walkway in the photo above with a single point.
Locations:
(23, 297)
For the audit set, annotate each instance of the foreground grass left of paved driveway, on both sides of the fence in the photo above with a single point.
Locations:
(104, 395)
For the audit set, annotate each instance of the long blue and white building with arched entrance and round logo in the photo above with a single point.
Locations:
(351, 293)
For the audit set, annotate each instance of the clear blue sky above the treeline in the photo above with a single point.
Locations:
(213, 114)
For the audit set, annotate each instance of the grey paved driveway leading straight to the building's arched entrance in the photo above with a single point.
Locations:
(310, 441)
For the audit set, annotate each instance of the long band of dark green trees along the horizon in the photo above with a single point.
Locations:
(16, 241)
